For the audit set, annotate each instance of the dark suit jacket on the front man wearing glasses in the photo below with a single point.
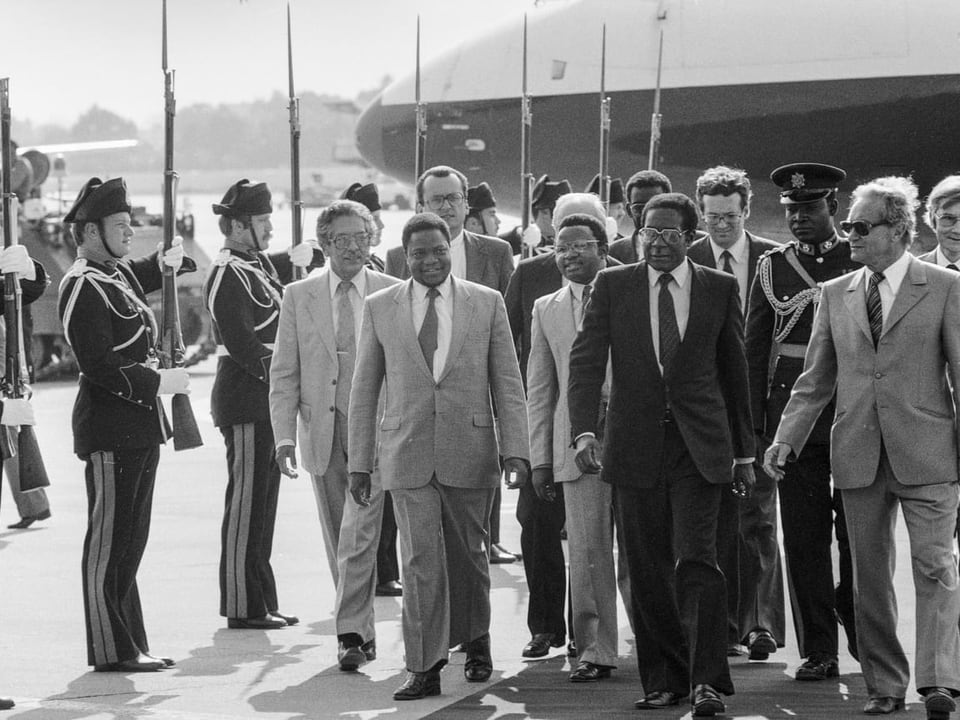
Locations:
(706, 387)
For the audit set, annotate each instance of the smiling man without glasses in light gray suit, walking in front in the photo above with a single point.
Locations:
(441, 349)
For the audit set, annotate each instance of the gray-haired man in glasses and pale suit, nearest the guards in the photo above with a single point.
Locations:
(310, 378)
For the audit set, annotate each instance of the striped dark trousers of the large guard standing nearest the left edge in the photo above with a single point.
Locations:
(119, 500)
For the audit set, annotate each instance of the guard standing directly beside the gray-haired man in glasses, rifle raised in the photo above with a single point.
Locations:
(243, 292)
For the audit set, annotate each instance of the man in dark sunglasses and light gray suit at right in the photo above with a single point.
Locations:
(887, 337)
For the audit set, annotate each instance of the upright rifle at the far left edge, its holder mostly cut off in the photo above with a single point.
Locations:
(15, 442)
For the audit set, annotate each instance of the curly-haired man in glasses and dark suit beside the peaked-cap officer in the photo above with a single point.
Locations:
(747, 545)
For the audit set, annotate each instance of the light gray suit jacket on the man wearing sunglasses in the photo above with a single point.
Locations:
(898, 393)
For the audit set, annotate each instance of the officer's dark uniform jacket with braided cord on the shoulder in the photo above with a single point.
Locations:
(781, 309)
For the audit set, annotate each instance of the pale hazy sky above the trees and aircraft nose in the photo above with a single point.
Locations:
(62, 56)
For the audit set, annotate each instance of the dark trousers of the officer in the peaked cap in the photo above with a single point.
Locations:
(809, 514)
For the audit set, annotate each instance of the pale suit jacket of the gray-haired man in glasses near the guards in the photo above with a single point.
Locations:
(303, 371)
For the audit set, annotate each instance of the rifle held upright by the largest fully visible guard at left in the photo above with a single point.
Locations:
(186, 434)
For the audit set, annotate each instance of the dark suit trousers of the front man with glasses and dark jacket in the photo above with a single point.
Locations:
(679, 592)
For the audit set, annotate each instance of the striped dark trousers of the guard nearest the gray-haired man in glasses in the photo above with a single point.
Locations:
(247, 585)
